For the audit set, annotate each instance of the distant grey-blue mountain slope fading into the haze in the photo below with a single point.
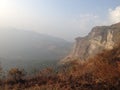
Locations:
(26, 48)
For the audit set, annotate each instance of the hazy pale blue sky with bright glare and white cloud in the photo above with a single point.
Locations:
(62, 18)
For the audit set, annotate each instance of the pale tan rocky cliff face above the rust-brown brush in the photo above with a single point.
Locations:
(100, 38)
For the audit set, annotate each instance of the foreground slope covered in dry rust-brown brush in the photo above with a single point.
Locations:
(102, 72)
